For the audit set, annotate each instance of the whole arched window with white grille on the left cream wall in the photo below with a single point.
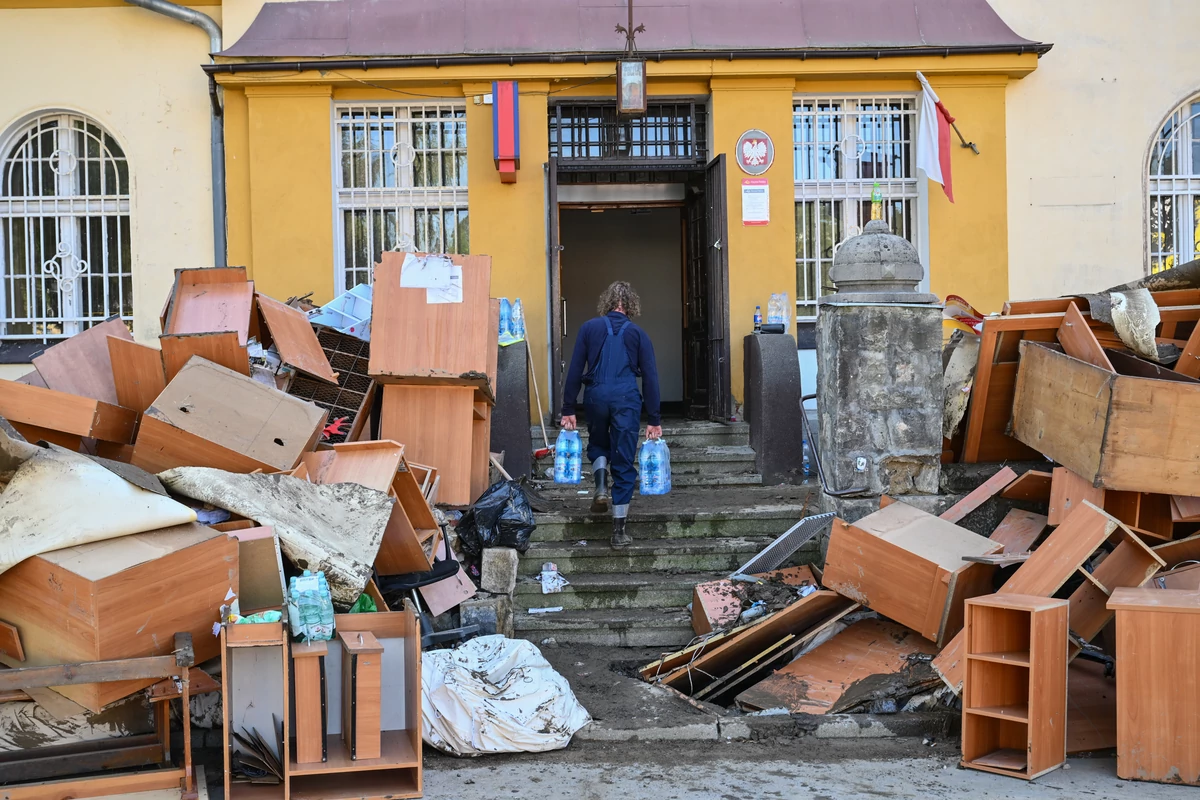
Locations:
(65, 257)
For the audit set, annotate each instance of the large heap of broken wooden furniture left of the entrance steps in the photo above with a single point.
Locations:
(177, 490)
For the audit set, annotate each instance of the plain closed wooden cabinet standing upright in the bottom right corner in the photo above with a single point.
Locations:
(1159, 688)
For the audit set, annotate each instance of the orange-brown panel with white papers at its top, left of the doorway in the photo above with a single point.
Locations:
(440, 342)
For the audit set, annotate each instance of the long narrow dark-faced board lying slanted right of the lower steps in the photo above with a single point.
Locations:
(799, 619)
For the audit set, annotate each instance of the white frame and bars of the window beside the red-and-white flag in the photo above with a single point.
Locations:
(847, 188)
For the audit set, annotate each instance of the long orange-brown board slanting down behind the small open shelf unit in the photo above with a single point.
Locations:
(1042, 575)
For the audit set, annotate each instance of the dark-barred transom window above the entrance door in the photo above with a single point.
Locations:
(590, 134)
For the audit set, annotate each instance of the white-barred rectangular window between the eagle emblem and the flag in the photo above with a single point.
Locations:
(845, 148)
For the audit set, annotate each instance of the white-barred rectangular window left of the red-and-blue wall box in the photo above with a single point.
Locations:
(400, 183)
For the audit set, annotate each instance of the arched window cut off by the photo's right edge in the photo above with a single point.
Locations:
(1174, 189)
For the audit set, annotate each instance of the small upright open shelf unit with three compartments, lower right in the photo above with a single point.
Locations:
(1015, 693)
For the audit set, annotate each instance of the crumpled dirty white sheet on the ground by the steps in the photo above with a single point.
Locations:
(495, 695)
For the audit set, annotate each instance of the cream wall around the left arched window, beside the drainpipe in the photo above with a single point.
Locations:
(139, 75)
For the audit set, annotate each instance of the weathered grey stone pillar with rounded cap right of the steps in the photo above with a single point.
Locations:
(880, 371)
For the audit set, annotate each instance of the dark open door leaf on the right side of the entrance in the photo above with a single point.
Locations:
(717, 268)
